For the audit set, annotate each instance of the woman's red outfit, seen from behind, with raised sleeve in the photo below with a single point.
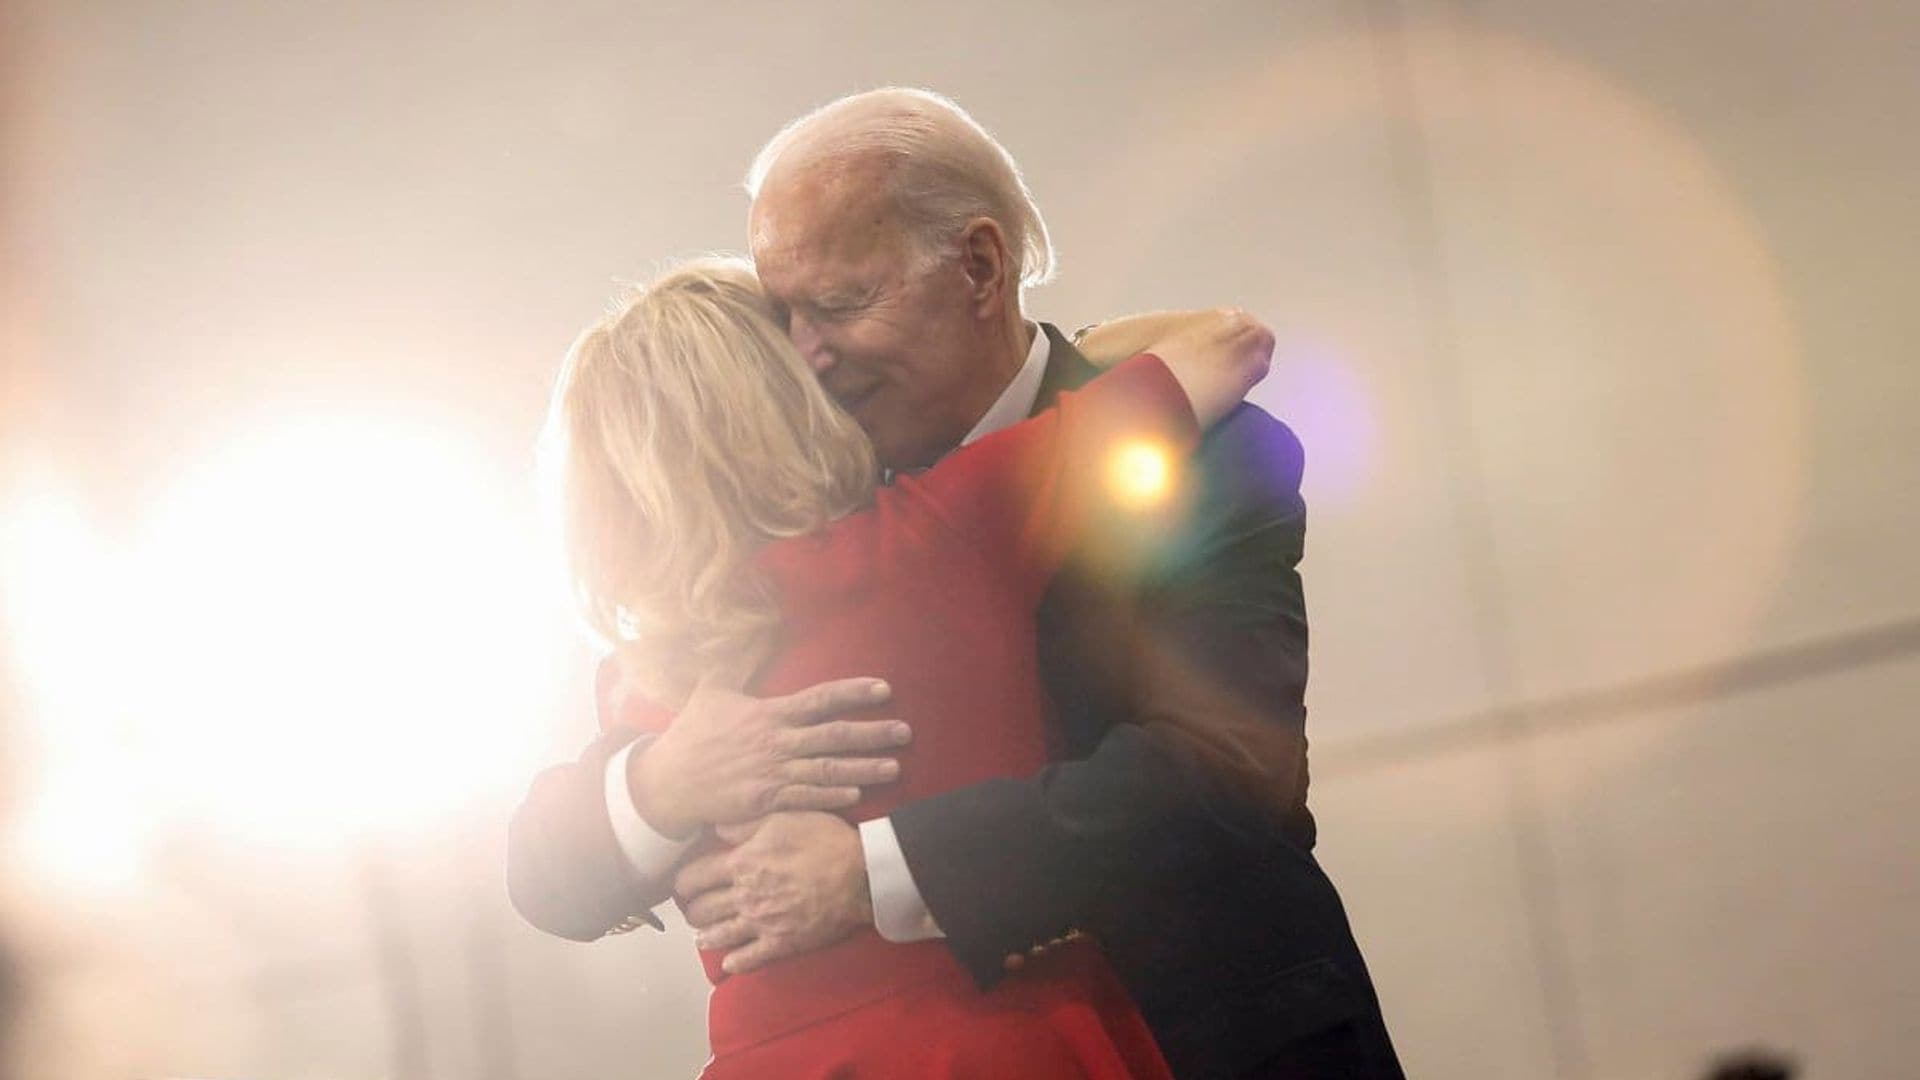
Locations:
(934, 589)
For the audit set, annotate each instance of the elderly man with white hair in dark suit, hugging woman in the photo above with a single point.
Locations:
(1172, 827)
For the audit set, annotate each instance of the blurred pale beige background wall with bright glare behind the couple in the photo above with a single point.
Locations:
(1596, 322)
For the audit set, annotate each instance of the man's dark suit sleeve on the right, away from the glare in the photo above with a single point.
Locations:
(1218, 647)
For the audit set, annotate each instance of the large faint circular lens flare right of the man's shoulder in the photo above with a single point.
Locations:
(1581, 320)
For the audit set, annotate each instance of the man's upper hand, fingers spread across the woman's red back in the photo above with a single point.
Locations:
(731, 758)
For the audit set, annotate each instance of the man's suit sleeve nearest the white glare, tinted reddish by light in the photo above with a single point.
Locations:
(565, 870)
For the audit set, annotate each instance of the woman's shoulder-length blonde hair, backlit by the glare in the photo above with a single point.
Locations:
(684, 433)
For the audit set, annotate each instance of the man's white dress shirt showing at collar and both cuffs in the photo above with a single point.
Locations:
(900, 912)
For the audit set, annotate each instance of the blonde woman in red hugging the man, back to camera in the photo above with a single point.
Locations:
(725, 524)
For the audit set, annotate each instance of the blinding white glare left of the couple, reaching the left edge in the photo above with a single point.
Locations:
(329, 627)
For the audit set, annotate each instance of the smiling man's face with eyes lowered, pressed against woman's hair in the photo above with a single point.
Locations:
(896, 345)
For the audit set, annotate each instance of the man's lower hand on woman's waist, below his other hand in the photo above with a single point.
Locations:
(796, 883)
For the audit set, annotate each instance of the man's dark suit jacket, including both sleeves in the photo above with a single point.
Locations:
(1203, 893)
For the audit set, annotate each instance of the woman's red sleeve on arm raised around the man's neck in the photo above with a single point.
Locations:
(1111, 451)
